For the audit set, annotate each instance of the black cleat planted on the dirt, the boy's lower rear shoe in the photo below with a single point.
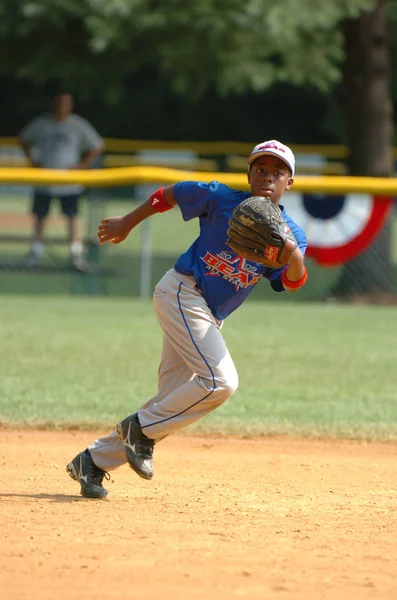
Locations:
(84, 470)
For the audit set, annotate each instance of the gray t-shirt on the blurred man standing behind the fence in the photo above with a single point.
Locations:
(60, 145)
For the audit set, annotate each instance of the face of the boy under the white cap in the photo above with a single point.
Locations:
(269, 176)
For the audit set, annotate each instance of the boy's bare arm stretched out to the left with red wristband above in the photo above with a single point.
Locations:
(116, 229)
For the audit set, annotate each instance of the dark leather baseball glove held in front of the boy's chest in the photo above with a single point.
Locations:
(258, 231)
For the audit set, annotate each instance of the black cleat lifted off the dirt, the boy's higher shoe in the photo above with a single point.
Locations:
(137, 447)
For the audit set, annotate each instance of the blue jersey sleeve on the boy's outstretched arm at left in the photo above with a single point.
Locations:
(193, 198)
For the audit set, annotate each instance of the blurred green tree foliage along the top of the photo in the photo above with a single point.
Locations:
(226, 45)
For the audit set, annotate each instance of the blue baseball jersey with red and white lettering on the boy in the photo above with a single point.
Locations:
(224, 277)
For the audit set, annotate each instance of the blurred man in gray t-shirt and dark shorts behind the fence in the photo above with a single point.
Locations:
(60, 140)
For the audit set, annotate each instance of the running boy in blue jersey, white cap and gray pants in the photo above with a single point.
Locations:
(207, 283)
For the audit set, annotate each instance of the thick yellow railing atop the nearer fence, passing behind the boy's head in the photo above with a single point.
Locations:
(134, 175)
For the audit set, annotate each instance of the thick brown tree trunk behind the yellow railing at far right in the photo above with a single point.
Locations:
(369, 116)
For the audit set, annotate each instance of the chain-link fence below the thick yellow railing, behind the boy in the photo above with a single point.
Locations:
(133, 267)
